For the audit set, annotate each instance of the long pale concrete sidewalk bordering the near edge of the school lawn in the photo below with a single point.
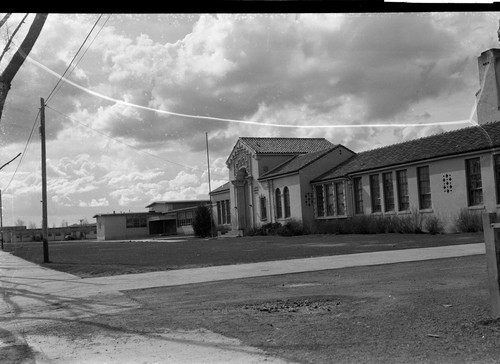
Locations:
(26, 276)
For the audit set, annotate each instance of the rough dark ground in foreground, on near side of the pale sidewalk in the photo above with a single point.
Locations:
(425, 312)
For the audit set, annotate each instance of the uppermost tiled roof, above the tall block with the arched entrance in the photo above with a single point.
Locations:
(262, 145)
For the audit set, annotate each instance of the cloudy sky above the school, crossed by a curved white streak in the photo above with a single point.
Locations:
(129, 125)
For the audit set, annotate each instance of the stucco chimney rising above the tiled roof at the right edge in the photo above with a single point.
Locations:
(488, 96)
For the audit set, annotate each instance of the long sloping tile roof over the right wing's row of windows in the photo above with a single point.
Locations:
(449, 143)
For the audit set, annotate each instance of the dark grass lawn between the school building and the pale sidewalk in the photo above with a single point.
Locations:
(102, 258)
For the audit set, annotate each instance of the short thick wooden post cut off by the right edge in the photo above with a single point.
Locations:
(491, 230)
